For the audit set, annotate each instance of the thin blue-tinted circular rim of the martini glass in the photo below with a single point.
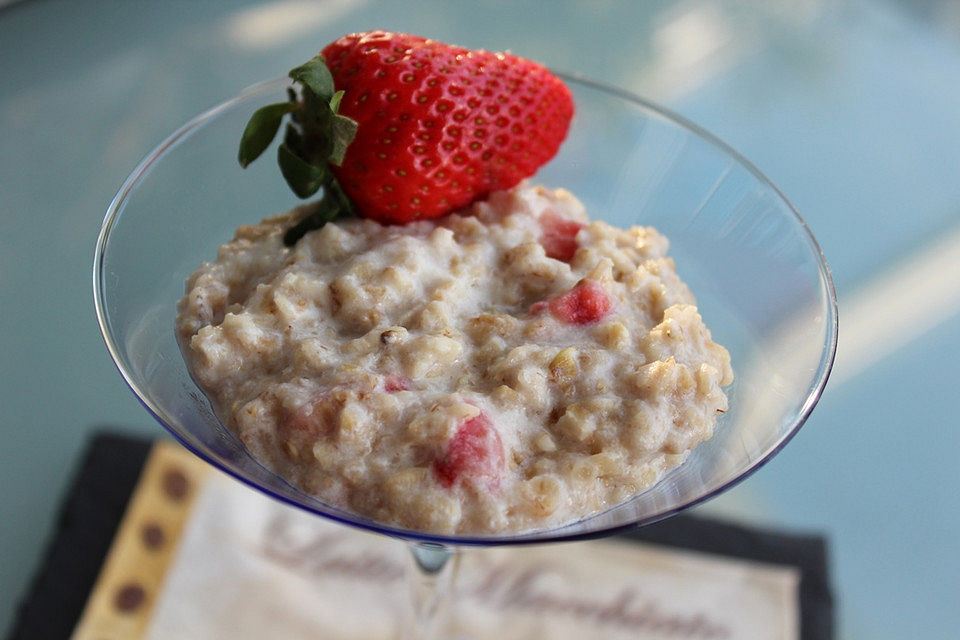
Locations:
(568, 532)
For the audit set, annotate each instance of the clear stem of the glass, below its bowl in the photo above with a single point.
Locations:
(430, 576)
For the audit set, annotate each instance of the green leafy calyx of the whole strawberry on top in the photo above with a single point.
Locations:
(316, 137)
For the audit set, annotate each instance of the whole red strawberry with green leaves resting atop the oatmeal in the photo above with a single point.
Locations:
(412, 128)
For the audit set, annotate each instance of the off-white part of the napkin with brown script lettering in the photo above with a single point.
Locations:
(250, 567)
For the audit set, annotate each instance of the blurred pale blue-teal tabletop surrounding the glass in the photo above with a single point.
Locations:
(851, 107)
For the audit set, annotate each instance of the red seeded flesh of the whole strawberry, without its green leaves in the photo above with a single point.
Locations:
(440, 126)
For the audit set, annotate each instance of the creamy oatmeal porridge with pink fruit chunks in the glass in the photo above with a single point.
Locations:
(514, 366)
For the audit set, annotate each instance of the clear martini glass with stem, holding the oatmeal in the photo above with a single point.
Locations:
(761, 282)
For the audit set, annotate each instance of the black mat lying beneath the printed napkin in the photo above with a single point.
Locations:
(111, 466)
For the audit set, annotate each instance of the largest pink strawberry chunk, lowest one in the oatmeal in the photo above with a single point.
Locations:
(474, 454)
